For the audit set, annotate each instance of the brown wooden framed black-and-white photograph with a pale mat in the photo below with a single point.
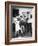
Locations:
(20, 22)
